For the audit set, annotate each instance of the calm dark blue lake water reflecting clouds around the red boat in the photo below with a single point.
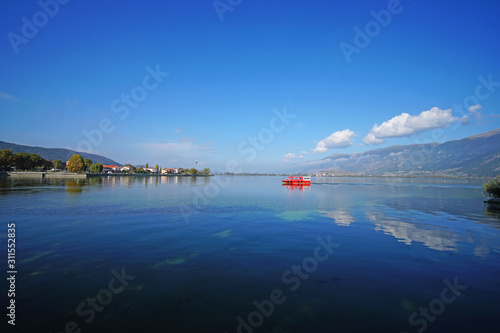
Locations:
(246, 254)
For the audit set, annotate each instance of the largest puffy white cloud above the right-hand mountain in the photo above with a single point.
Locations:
(406, 125)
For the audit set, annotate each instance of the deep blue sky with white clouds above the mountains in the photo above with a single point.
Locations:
(419, 71)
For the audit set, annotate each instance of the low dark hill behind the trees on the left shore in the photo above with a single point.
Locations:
(55, 153)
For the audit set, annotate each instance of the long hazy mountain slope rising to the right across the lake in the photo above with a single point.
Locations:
(477, 155)
